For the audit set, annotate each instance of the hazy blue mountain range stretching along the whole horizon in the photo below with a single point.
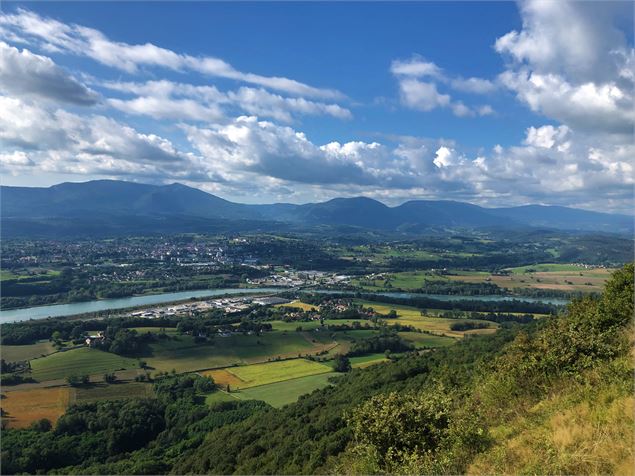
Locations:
(116, 207)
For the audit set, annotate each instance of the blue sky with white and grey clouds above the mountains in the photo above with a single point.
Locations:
(494, 103)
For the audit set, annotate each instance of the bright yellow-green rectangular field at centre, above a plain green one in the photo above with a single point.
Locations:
(262, 374)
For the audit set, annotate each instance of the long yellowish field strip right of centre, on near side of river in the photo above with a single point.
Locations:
(411, 316)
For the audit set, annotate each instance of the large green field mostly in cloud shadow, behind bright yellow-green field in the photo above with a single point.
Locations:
(185, 355)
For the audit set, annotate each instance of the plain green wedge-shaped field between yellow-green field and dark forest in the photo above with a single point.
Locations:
(283, 393)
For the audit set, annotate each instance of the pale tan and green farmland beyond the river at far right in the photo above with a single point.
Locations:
(557, 277)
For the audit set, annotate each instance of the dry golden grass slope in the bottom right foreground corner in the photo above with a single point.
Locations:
(568, 433)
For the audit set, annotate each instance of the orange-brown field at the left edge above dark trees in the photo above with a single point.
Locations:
(23, 407)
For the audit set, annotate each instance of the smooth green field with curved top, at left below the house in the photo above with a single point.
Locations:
(78, 362)
